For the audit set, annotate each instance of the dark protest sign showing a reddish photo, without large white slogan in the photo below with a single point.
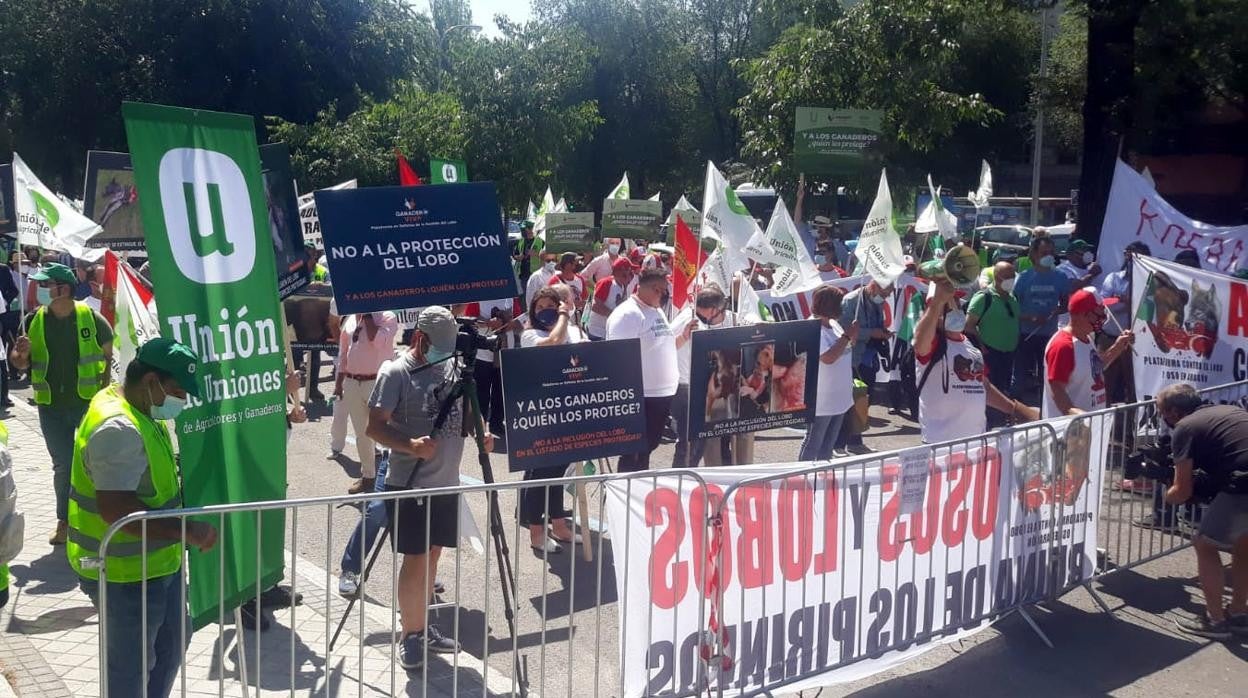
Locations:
(752, 379)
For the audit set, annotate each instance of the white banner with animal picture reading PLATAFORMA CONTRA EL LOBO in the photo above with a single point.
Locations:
(1191, 327)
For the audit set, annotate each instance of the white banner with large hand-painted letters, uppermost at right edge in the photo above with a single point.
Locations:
(1136, 212)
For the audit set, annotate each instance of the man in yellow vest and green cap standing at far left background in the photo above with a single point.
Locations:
(68, 348)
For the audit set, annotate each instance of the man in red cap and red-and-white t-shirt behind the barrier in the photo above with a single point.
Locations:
(1074, 368)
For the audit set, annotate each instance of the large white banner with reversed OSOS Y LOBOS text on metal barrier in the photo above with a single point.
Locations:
(812, 578)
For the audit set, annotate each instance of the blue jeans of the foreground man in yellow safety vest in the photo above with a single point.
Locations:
(124, 625)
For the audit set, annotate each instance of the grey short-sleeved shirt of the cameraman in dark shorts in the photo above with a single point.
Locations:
(414, 395)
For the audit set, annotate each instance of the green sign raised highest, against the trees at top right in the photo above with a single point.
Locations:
(836, 142)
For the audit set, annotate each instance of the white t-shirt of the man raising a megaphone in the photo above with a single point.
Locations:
(954, 401)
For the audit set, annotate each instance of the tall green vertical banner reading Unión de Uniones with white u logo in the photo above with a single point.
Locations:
(213, 272)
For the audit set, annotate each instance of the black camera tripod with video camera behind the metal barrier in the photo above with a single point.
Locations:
(465, 388)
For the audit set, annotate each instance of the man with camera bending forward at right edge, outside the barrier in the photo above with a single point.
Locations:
(1212, 439)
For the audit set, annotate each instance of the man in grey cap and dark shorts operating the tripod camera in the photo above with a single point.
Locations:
(404, 408)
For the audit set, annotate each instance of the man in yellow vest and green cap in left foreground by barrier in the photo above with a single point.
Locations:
(124, 464)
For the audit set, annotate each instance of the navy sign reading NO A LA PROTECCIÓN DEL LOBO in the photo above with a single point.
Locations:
(414, 247)
